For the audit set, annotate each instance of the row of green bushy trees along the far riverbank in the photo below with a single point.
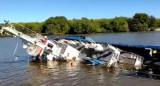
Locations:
(60, 25)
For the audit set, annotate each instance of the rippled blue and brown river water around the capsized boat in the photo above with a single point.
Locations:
(17, 70)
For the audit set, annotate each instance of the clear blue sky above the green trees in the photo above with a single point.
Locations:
(40, 10)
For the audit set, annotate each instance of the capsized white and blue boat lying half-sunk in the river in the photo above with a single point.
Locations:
(84, 49)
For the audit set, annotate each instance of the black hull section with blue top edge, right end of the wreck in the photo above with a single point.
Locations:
(151, 54)
